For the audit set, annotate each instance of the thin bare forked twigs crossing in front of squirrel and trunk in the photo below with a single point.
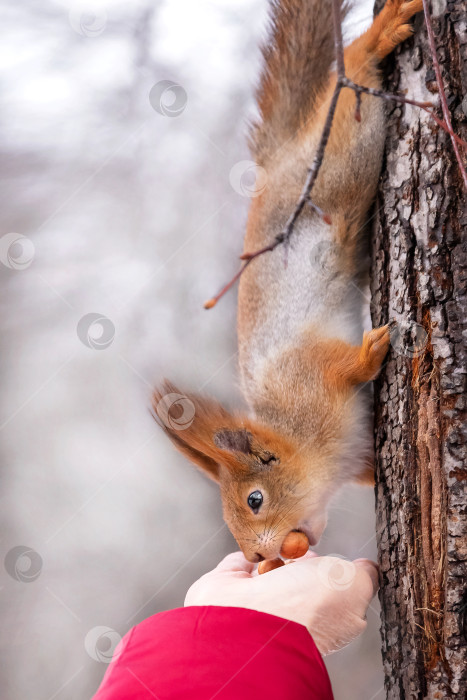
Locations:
(343, 81)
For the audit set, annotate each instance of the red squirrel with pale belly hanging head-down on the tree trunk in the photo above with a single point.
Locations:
(303, 363)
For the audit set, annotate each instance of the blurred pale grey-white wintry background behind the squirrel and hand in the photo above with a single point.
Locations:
(121, 127)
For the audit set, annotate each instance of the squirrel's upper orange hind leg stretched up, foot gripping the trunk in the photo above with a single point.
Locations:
(354, 151)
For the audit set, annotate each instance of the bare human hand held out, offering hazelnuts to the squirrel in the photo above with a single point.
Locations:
(328, 595)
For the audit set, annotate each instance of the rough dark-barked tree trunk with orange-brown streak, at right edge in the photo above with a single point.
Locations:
(419, 274)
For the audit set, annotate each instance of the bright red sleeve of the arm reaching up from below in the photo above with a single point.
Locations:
(216, 653)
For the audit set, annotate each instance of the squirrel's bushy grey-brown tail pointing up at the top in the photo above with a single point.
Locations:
(297, 59)
